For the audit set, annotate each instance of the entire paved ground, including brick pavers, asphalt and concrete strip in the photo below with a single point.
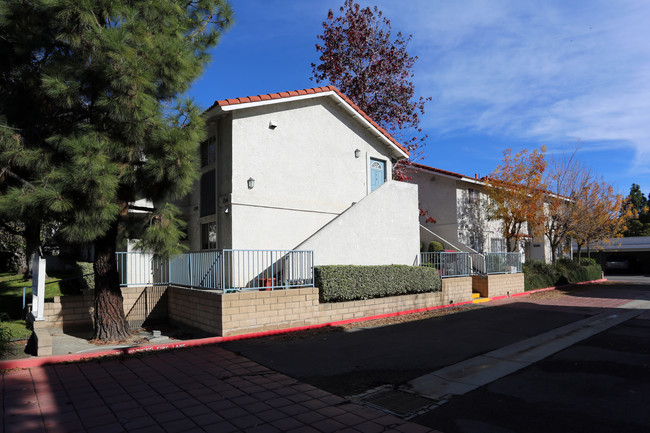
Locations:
(583, 364)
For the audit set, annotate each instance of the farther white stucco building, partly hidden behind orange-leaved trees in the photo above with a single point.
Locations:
(457, 203)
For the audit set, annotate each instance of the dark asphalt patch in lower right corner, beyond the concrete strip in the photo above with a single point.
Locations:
(599, 385)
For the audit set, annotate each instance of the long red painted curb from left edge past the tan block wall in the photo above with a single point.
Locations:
(57, 359)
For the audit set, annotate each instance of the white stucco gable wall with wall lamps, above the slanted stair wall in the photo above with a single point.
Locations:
(304, 168)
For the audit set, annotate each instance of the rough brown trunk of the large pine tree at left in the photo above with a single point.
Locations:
(110, 322)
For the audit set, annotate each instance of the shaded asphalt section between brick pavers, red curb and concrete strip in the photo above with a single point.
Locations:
(347, 363)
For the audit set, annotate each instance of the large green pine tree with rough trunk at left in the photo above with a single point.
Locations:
(93, 91)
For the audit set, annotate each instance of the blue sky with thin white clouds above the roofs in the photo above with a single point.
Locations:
(502, 74)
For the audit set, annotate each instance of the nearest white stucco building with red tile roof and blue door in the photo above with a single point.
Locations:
(306, 170)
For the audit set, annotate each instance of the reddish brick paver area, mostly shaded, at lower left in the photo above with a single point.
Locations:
(206, 389)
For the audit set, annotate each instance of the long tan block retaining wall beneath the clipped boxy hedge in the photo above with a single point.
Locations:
(256, 311)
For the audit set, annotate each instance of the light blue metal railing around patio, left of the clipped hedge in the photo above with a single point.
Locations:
(227, 270)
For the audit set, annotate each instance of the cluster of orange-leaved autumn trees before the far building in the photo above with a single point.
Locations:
(562, 200)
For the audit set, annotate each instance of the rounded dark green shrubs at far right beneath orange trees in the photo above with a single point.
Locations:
(538, 274)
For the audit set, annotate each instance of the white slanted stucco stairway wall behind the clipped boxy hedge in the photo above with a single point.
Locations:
(381, 229)
